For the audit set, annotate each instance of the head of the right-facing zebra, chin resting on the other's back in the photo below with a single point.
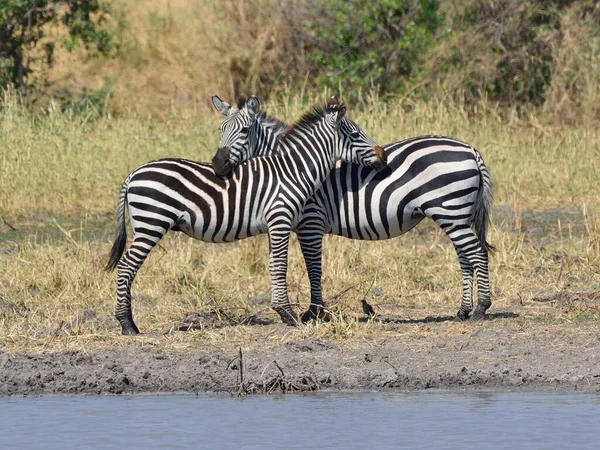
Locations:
(355, 145)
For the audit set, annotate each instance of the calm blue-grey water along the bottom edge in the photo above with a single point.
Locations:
(365, 420)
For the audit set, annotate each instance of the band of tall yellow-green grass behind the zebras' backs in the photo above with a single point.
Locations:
(65, 163)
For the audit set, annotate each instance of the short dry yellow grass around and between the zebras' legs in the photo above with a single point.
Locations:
(535, 286)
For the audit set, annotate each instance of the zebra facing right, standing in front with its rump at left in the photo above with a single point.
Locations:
(264, 195)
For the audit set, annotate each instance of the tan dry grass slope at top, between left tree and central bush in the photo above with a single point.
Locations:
(174, 54)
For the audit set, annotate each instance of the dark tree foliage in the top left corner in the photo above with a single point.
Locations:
(24, 26)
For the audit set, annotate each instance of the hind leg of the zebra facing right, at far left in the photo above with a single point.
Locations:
(127, 268)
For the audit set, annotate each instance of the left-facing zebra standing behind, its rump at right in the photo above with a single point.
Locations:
(426, 176)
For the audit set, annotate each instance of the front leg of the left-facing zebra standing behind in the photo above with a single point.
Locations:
(311, 243)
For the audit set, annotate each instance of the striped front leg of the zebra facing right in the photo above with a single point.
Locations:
(278, 245)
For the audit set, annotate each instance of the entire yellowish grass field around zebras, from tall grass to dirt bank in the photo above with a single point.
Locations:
(59, 178)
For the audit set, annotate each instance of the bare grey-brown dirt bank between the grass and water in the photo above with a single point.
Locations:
(501, 353)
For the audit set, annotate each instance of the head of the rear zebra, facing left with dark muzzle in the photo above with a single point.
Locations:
(234, 146)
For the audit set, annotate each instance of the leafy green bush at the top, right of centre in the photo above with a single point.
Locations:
(360, 44)
